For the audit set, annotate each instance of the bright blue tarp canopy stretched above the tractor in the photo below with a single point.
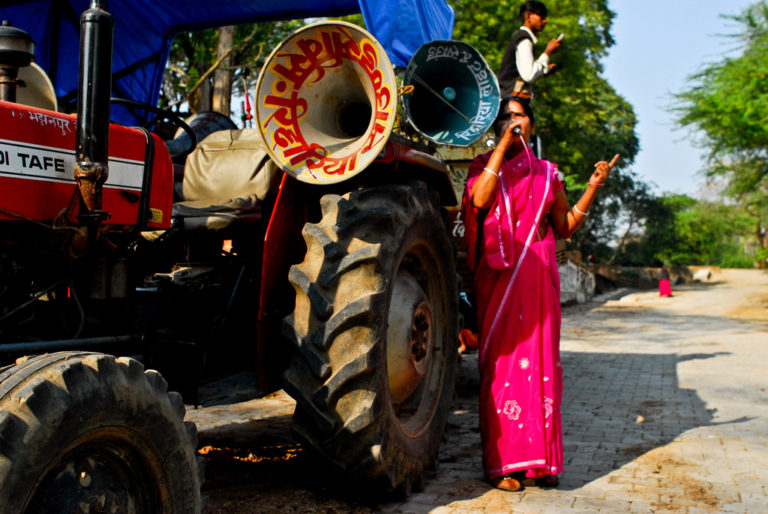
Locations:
(144, 30)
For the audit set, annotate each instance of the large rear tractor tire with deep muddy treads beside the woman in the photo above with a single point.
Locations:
(375, 333)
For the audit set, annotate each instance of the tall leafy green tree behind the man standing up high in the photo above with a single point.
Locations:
(580, 117)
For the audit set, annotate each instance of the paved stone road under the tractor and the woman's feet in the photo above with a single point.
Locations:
(665, 410)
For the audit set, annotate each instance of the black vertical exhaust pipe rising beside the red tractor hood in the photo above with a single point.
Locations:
(94, 91)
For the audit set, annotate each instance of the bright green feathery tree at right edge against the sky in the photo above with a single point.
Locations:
(727, 103)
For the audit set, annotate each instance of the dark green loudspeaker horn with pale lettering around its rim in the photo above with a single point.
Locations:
(455, 96)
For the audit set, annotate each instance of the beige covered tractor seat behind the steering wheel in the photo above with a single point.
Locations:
(225, 178)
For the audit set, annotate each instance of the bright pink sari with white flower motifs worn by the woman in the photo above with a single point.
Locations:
(517, 292)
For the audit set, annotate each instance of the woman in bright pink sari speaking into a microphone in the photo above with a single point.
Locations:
(514, 205)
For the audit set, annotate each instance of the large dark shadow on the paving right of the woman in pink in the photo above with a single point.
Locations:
(630, 405)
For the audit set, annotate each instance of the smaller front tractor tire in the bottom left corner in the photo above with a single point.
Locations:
(86, 432)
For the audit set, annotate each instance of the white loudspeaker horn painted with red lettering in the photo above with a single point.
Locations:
(326, 102)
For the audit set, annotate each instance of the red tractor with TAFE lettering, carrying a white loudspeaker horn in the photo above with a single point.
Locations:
(313, 249)
